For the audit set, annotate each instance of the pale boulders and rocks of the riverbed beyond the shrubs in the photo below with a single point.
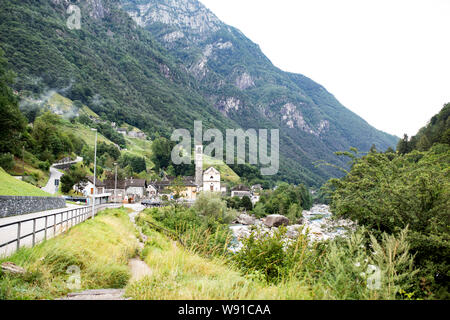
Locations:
(318, 221)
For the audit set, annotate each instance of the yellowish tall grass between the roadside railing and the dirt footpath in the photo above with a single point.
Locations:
(100, 248)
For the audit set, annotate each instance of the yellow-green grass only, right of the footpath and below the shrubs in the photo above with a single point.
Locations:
(178, 274)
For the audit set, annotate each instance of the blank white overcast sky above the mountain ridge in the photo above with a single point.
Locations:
(386, 60)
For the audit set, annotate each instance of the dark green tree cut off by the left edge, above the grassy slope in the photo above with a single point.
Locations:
(12, 122)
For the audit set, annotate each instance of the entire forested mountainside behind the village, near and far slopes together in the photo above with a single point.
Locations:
(160, 65)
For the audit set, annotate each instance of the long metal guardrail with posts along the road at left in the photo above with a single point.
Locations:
(29, 232)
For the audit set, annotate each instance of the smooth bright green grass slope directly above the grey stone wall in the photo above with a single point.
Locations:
(9, 186)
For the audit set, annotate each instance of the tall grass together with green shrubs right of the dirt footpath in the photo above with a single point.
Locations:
(268, 267)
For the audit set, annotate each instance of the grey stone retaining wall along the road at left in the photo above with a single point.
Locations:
(16, 205)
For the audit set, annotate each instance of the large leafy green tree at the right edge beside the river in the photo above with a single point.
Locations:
(388, 194)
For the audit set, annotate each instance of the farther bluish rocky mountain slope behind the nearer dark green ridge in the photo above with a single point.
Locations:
(241, 82)
